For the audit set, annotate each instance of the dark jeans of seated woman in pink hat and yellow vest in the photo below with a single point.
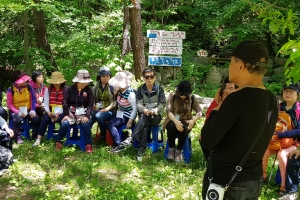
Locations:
(35, 121)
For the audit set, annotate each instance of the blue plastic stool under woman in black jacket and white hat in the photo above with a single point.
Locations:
(74, 139)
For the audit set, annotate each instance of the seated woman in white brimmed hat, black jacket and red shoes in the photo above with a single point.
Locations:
(77, 108)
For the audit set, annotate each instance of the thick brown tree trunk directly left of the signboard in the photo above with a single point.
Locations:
(137, 41)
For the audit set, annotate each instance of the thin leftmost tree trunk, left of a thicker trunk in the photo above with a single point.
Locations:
(26, 38)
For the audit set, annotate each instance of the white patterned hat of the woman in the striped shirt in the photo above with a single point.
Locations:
(121, 79)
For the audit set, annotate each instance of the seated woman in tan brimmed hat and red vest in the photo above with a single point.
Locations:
(53, 98)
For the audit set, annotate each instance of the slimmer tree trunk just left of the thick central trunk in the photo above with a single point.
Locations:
(126, 39)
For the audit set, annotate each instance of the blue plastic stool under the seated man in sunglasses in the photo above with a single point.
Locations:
(154, 143)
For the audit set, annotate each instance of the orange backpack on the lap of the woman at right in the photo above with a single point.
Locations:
(284, 123)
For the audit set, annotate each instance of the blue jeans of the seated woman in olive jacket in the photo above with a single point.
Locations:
(101, 118)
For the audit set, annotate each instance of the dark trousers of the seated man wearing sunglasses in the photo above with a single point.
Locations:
(140, 132)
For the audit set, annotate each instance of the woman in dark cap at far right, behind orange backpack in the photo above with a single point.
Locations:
(291, 106)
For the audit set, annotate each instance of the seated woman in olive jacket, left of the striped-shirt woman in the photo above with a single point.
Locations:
(103, 109)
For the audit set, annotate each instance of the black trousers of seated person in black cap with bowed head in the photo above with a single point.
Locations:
(172, 133)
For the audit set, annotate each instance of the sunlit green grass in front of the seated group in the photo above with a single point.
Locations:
(42, 173)
